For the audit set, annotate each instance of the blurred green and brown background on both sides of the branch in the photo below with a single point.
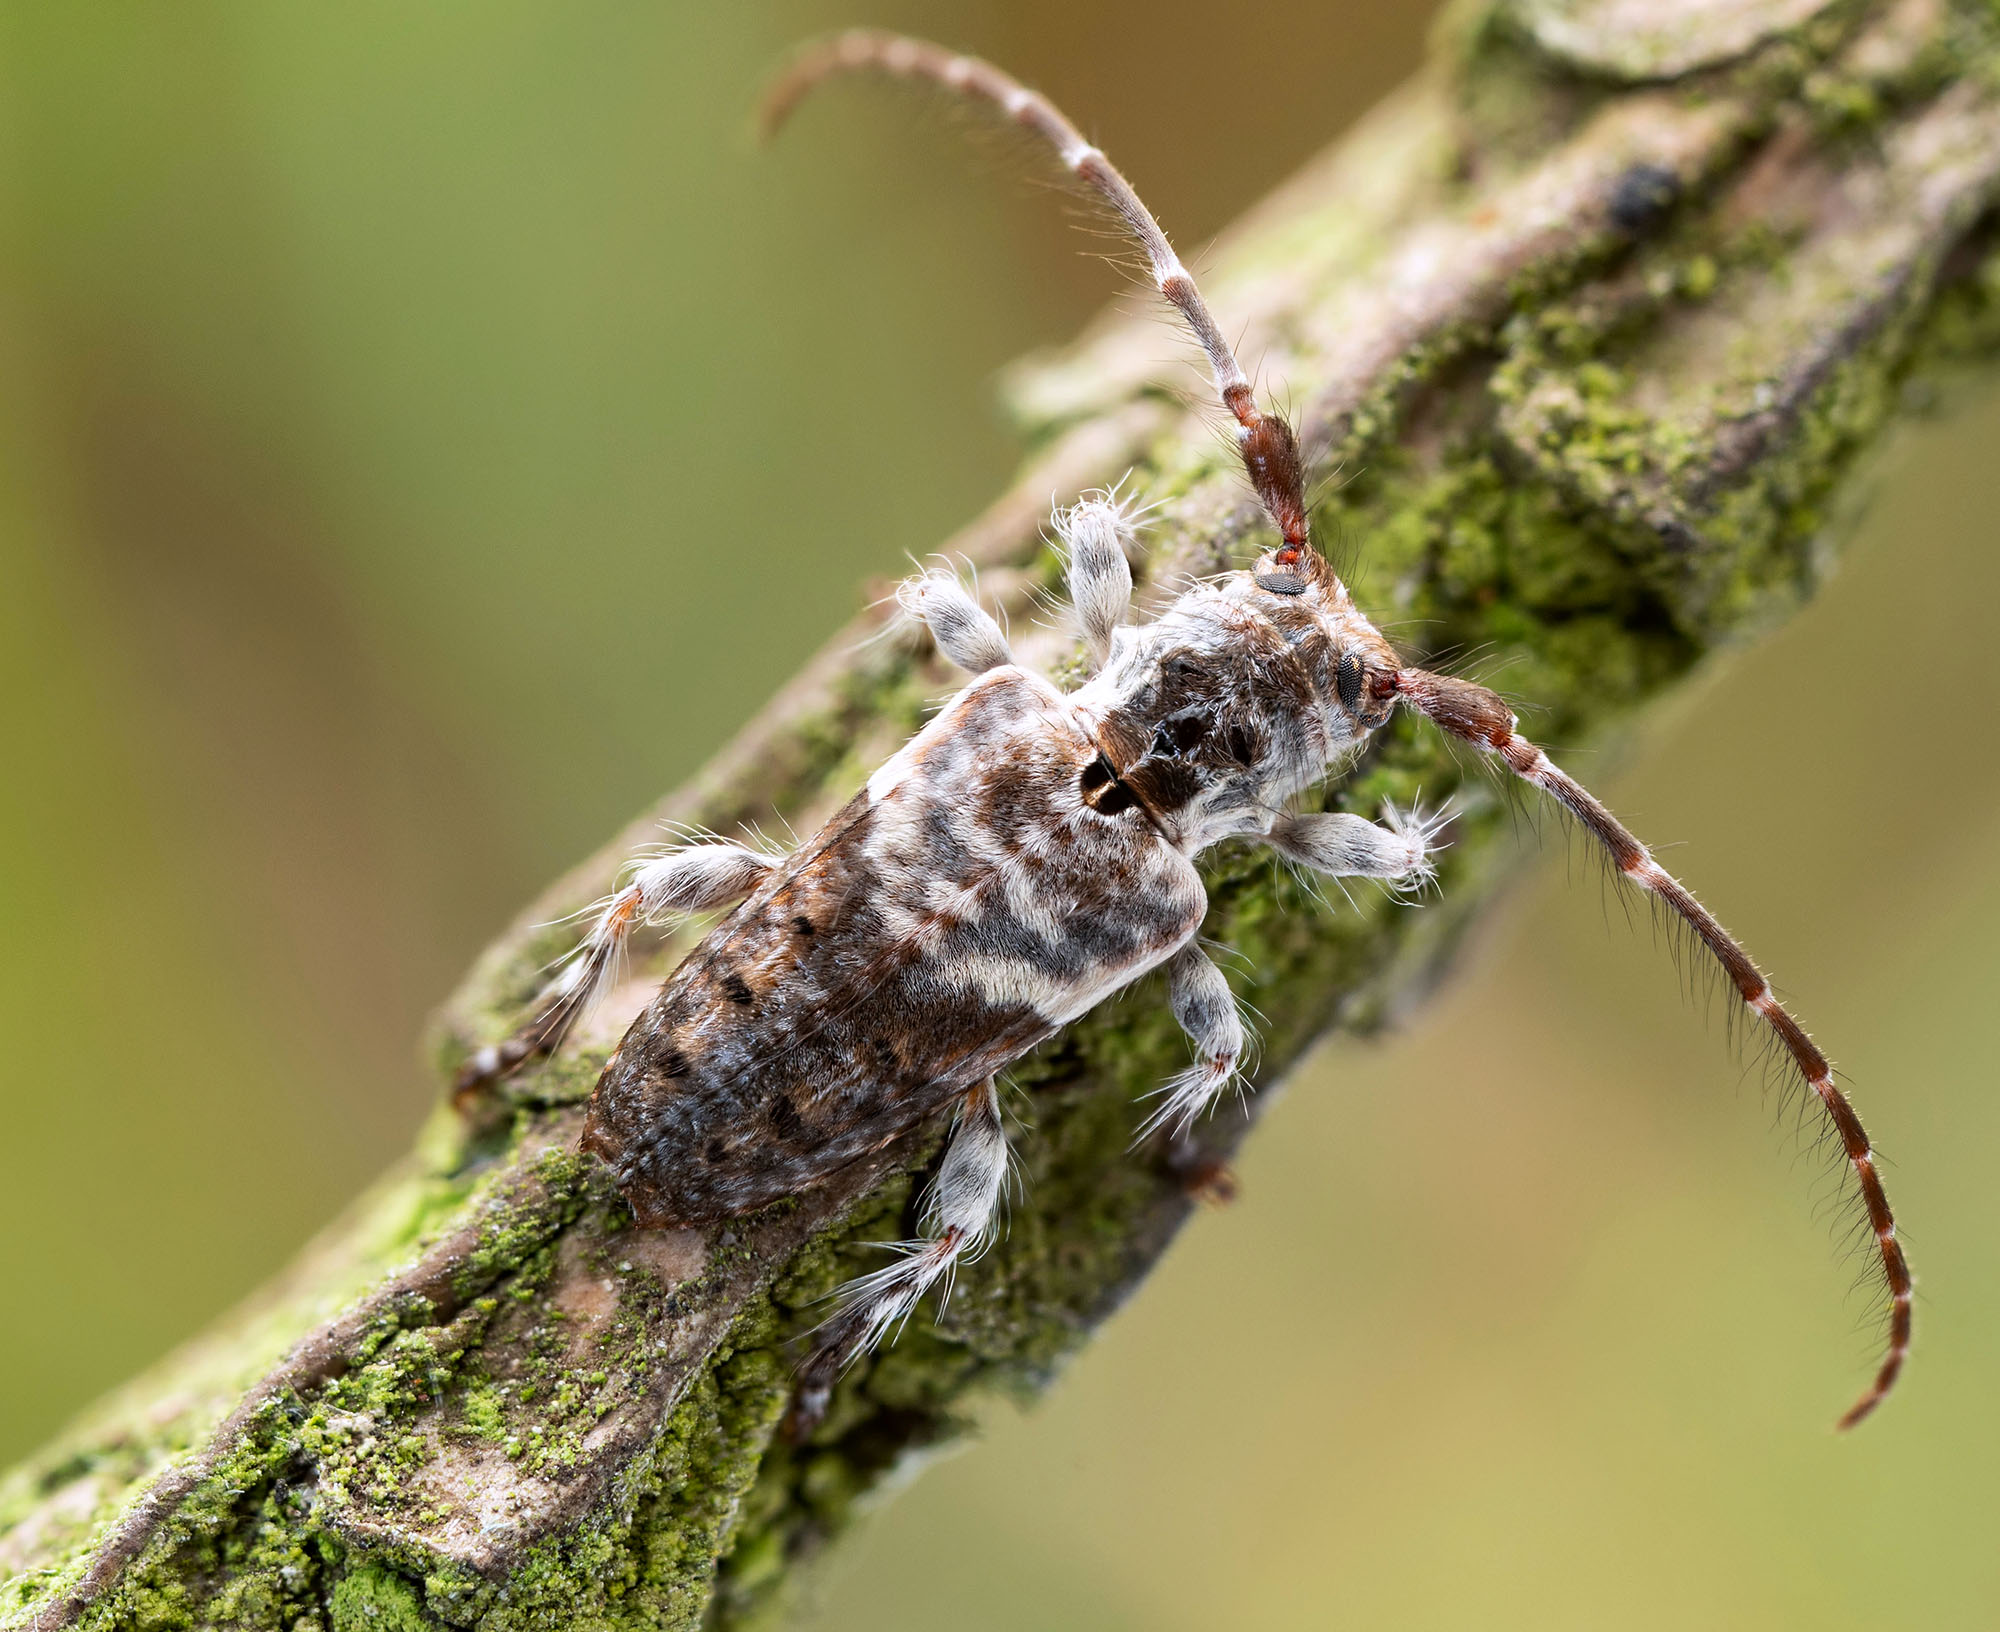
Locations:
(425, 433)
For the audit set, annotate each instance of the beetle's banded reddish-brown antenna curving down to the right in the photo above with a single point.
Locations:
(1479, 717)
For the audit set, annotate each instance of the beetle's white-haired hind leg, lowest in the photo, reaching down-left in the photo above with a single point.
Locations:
(959, 1221)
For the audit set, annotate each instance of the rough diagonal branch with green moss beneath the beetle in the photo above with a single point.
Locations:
(1597, 319)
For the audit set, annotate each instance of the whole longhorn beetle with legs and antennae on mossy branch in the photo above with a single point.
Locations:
(1033, 851)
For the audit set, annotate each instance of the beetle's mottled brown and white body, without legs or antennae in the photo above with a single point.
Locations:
(1025, 857)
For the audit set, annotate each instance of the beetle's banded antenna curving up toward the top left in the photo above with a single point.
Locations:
(1267, 443)
